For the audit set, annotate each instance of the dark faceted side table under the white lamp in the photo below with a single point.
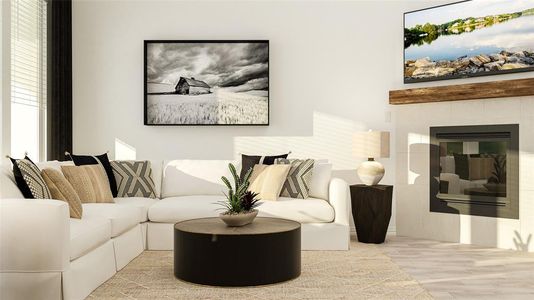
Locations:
(371, 210)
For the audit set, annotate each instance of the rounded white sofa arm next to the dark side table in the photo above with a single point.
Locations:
(339, 198)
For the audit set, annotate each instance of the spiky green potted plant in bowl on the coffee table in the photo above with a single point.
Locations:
(240, 203)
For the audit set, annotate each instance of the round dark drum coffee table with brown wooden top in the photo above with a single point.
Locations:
(208, 252)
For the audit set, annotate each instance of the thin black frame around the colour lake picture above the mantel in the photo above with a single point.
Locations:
(449, 77)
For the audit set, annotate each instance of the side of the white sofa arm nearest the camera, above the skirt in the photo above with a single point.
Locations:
(34, 235)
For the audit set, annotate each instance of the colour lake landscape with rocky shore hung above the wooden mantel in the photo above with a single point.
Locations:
(469, 38)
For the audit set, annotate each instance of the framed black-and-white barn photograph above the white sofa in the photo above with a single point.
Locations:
(206, 82)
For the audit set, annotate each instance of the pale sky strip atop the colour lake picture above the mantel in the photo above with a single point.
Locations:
(475, 8)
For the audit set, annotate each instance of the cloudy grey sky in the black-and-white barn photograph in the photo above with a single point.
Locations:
(237, 66)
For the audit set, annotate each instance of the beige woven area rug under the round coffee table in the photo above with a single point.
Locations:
(364, 272)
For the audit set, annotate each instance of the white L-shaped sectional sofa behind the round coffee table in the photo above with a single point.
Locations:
(44, 254)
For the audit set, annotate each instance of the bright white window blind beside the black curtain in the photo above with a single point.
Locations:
(28, 77)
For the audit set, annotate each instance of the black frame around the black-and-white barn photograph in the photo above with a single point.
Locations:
(145, 90)
